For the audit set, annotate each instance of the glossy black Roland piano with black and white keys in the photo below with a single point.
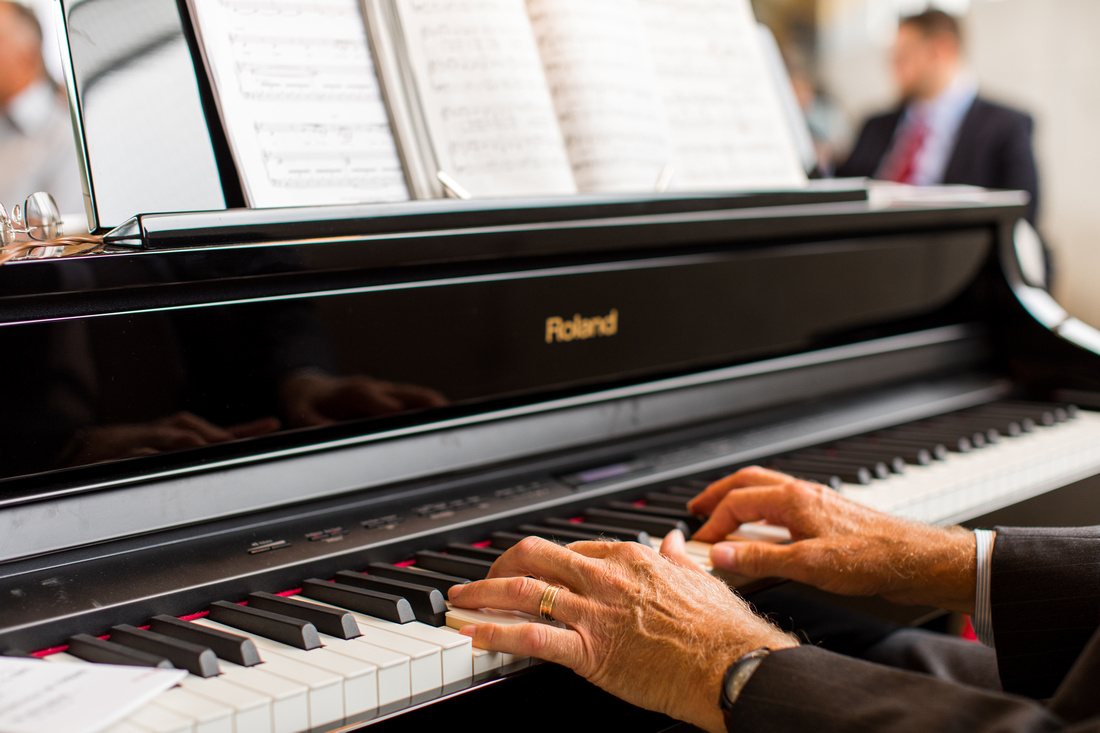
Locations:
(223, 408)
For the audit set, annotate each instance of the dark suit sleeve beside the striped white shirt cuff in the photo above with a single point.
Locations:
(1046, 595)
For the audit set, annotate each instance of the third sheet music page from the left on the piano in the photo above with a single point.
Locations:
(604, 87)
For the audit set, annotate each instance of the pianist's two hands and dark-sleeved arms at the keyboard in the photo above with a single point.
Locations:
(657, 631)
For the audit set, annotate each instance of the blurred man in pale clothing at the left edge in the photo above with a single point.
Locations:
(37, 144)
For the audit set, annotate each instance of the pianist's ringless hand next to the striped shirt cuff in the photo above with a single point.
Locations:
(839, 545)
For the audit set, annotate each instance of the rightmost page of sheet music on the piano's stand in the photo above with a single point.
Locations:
(728, 124)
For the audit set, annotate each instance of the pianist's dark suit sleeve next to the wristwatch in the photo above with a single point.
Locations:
(811, 690)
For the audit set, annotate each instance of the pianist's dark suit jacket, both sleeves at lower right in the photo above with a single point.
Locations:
(1047, 614)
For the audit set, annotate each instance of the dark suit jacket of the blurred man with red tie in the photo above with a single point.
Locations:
(993, 149)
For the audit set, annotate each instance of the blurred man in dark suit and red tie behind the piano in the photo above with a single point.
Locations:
(944, 133)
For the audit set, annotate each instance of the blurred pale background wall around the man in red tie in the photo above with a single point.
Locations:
(1039, 56)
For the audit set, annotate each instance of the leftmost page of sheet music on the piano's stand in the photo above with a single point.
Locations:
(299, 96)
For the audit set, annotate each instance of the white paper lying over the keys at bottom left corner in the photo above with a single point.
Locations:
(37, 696)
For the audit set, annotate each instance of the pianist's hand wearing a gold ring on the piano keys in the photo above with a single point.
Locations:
(653, 629)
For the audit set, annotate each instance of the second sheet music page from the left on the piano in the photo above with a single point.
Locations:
(485, 96)
